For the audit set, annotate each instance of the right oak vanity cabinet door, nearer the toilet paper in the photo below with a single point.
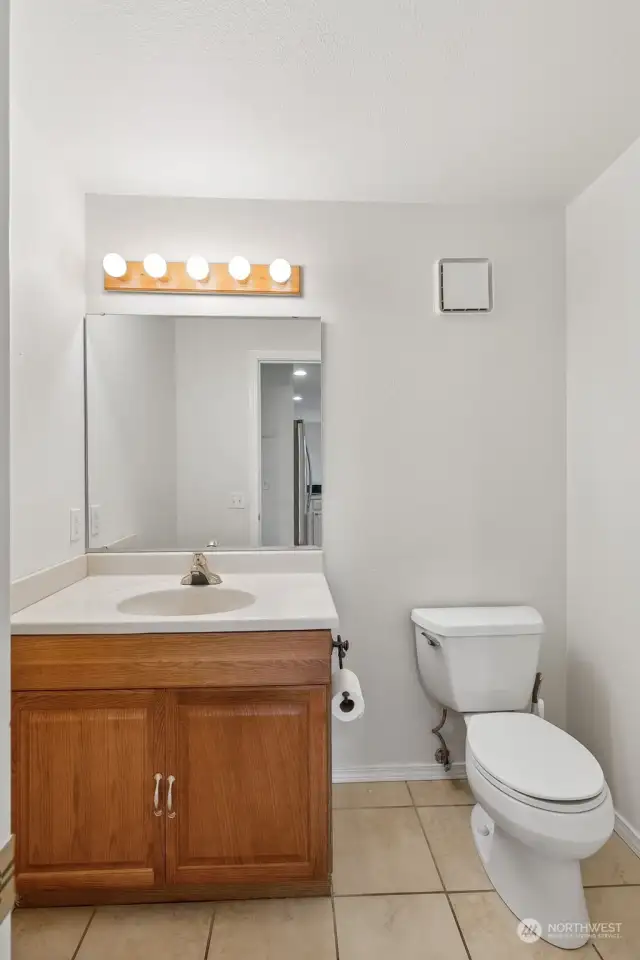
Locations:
(250, 798)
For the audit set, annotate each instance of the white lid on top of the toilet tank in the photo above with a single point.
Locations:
(478, 621)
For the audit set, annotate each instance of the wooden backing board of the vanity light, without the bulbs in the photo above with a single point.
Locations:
(219, 281)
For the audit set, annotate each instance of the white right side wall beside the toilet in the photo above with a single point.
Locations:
(603, 247)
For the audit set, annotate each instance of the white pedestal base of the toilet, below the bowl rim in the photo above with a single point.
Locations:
(533, 886)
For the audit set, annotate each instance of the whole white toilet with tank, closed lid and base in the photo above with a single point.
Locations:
(543, 803)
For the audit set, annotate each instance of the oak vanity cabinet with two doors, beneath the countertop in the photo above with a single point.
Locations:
(184, 790)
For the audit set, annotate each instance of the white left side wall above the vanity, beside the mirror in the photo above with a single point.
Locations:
(47, 305)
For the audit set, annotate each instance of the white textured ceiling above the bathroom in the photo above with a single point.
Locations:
(422, 100)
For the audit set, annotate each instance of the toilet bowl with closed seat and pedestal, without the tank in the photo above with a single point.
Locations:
(543, 805)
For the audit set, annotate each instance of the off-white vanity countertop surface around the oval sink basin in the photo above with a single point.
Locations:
(283, 601)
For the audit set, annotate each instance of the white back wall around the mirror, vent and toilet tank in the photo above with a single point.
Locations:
(452, 487)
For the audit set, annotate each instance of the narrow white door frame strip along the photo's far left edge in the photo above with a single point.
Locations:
(5, 646)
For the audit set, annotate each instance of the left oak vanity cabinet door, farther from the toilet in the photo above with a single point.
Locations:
(83, 789)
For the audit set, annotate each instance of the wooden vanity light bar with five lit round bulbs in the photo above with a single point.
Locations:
(196, 275)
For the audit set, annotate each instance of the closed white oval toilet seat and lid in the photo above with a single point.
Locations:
(534, 761)
